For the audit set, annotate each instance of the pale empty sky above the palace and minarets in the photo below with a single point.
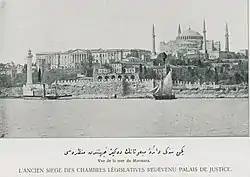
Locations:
(59, 25)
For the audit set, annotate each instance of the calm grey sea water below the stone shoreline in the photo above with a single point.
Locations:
(123, 118)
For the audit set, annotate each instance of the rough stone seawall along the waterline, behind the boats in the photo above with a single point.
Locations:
(133, 89)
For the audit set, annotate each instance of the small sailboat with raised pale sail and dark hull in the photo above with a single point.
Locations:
(163, 91)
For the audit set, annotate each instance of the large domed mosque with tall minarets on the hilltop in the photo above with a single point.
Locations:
(190, 44)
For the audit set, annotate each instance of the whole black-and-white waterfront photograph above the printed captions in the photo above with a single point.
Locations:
(123, 68)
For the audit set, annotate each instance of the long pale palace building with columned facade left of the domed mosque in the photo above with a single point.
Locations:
(72, 59)
